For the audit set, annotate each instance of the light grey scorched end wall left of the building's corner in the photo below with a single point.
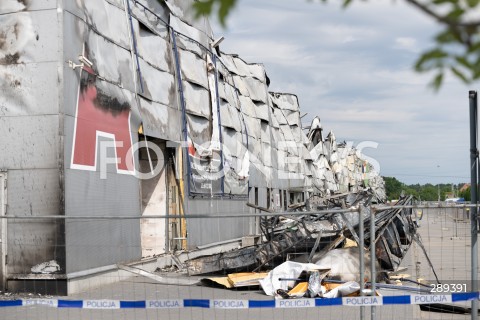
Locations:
(31, 130)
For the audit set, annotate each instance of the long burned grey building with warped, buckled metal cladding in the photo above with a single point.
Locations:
(113, 109)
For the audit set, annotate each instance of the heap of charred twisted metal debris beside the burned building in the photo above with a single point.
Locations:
(327, 241)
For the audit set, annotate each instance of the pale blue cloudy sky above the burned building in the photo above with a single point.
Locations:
(353, 68)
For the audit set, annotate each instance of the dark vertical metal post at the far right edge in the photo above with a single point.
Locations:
(472, 95)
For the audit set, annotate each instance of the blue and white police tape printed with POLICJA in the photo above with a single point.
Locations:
(243, 304)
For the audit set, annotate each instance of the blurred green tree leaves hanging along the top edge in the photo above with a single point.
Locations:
(457, 45)
